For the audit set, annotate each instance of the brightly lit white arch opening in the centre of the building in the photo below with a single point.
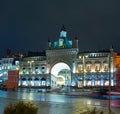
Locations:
(60, 75)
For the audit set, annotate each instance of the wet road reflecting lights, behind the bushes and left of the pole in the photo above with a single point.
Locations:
(51, 103)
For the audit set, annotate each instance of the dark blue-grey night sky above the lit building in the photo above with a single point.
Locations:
(28, 24)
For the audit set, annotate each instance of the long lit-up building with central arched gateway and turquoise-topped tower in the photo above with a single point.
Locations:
(63, 64)
